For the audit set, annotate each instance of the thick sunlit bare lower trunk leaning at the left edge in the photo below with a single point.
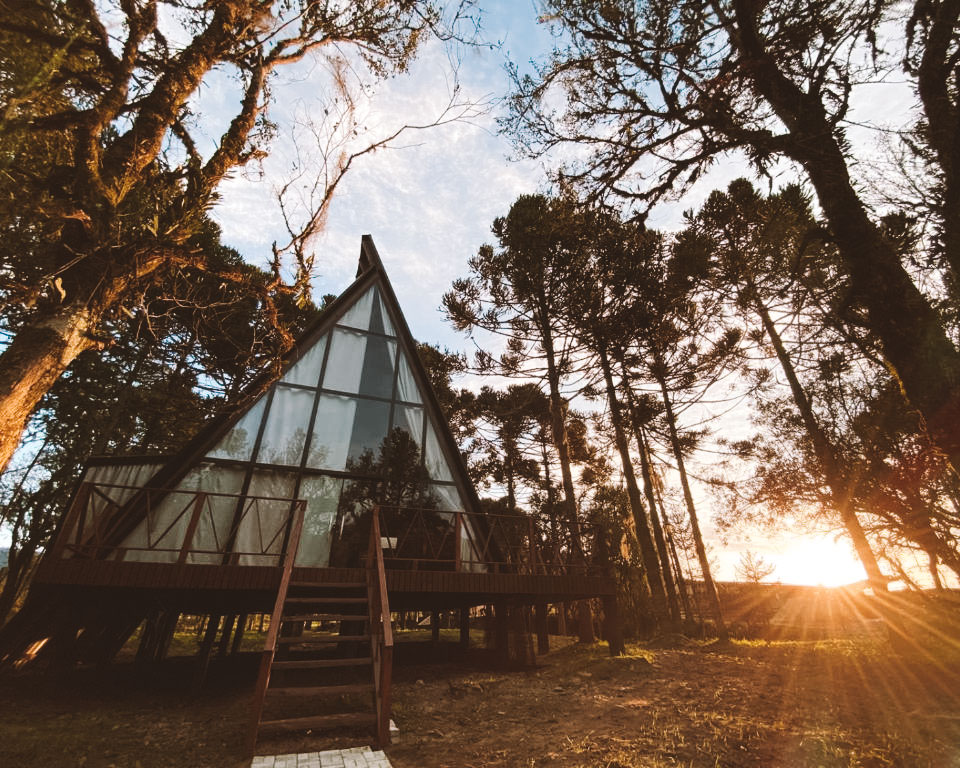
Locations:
(37, 356)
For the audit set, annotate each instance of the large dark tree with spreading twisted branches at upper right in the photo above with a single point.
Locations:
(657, 90)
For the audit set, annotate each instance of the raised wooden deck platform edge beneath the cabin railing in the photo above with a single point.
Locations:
(201, 588)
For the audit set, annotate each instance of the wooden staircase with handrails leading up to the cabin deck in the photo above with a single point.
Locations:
(331, 675)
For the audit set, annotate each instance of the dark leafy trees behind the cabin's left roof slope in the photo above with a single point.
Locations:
(148, 393)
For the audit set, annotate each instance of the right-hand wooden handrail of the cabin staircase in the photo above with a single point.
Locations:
(381, 632)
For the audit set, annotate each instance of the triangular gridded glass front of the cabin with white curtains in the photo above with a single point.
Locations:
(344, 428)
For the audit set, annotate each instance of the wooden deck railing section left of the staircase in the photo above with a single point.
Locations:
(175, 526)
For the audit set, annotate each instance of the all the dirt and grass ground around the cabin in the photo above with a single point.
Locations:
(829, 703)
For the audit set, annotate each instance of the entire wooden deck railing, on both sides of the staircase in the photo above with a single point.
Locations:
(117, 522)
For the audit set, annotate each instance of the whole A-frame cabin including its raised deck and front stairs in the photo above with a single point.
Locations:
(336, 496)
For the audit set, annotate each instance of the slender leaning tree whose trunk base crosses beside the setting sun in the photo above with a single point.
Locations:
(758, 248)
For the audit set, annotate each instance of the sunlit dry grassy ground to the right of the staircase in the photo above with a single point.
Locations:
(782, 704)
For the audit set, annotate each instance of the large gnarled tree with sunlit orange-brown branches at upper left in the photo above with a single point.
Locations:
(105, 176)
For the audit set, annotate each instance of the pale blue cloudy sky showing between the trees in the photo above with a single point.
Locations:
(429, 202)
